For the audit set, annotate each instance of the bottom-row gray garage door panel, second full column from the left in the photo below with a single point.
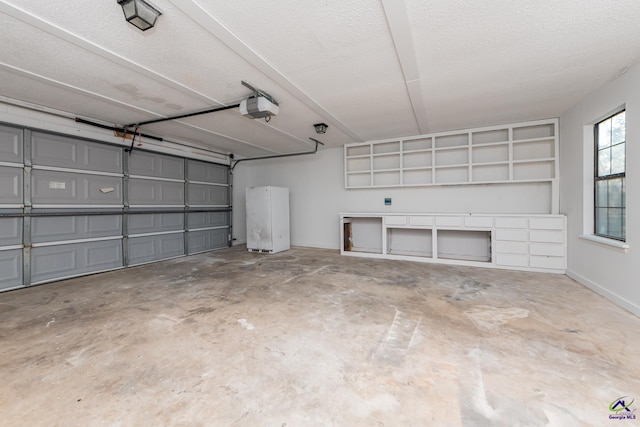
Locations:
(153, 248)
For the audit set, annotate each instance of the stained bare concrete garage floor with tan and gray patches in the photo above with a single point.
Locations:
(309, 338)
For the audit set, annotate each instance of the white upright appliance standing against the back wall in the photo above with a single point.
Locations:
(267, 219)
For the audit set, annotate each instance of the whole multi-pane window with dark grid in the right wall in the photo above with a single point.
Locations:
(609, 206)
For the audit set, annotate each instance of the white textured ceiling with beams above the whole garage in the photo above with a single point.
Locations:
(370, 69)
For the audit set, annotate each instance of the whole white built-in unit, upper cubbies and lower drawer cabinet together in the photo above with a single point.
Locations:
(509, 154)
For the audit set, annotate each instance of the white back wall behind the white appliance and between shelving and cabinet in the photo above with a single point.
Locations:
(316, 184)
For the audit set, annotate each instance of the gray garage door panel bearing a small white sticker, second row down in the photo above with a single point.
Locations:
(64, 188)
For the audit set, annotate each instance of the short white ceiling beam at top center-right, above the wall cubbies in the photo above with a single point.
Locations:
(399, 26)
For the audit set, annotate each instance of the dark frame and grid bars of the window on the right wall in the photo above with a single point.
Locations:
(597, 178)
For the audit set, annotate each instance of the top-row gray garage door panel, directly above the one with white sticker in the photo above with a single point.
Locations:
(59, 151)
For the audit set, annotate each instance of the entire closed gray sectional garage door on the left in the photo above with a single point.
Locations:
(70, 207)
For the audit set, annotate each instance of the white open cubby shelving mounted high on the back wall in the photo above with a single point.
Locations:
(521, 152)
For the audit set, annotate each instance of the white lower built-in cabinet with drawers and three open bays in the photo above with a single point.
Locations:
(519, 242)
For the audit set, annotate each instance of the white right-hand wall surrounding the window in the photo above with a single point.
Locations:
(605, 269)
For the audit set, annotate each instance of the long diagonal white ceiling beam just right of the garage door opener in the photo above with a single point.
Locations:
(199, 14)
